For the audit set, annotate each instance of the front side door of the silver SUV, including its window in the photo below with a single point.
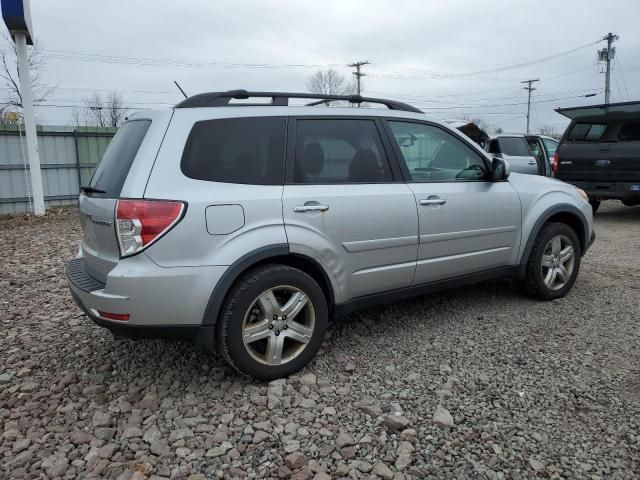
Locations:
(466, 223)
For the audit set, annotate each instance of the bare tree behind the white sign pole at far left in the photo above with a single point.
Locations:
(11, 97)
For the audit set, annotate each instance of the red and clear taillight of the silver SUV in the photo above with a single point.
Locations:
(139, 223)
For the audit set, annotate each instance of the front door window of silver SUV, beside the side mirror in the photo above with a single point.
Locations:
(434, 155)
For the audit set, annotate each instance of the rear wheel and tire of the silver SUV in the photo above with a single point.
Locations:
(279, 348)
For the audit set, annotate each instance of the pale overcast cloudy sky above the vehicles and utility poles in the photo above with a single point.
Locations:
(462, 59)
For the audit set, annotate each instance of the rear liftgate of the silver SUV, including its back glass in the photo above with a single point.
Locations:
(122, 172)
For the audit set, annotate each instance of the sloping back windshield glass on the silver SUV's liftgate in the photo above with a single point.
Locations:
(117, 159)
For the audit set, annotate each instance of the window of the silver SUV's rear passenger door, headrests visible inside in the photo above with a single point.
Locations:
(339, 151)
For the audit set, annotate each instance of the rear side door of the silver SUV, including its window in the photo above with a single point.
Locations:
(344, 206)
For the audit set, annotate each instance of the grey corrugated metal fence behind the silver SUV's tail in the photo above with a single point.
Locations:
(68, 156)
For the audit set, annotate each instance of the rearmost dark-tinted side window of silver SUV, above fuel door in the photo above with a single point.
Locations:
(236, 150)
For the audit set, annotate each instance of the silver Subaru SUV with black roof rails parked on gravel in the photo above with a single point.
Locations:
(246, 227)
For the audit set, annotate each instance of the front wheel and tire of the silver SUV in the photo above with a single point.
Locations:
(534, 282)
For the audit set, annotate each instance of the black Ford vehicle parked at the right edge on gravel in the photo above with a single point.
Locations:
(600, 152)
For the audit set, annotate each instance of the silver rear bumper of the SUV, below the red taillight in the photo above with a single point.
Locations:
(161, 302)
